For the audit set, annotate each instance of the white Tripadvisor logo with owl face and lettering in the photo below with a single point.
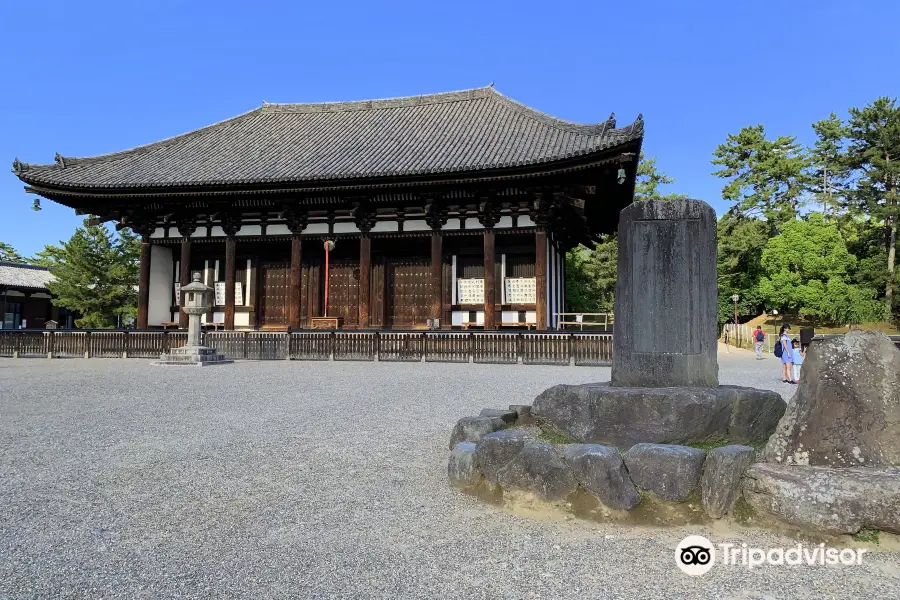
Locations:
(696, 555)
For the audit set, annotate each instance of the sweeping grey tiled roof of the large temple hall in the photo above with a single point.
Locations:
(455, 132)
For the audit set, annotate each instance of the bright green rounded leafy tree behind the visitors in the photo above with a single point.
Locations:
(807, 270)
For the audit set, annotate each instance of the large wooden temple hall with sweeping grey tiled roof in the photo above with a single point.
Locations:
(453, 208)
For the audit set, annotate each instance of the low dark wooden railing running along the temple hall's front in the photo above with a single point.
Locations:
(492, 347)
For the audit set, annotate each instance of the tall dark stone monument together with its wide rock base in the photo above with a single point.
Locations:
(665, 385)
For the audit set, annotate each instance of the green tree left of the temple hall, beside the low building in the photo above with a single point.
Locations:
(95, 274)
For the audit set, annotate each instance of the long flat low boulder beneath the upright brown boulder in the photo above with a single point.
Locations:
(825, 499)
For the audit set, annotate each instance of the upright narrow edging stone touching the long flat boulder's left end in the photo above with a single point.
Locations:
(720, 485)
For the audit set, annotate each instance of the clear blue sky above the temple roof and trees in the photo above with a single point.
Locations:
(84, 78)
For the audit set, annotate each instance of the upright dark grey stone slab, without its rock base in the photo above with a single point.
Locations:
(665, 333)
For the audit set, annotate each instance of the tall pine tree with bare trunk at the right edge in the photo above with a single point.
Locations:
(874, 151)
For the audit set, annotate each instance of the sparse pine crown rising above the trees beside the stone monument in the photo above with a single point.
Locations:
(767, 178)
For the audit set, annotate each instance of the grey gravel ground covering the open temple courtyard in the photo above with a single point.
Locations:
(305, 480)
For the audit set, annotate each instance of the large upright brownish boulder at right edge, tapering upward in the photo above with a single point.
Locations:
(846, 411)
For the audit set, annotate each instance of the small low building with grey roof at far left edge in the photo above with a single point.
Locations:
(25, 301)
